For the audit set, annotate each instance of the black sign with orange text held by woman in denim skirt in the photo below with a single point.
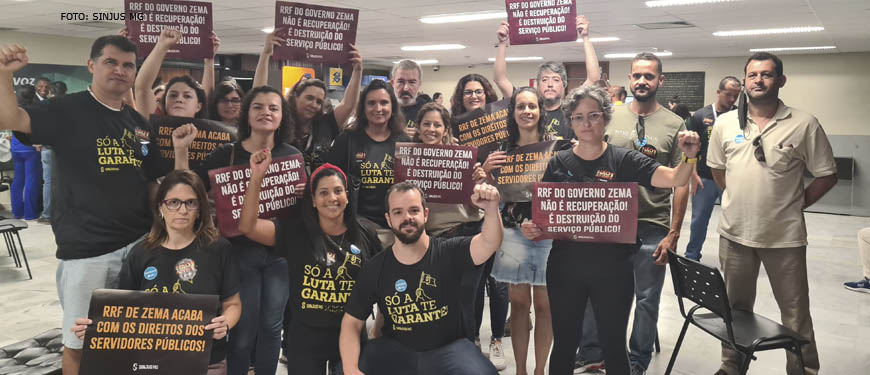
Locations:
(524, 166)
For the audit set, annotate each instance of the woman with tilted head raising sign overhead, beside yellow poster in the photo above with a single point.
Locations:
(316, 122)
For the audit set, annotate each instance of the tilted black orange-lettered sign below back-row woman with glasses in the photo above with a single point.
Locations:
(482, 127)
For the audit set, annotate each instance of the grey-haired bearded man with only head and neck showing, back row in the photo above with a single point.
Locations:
(406, 79)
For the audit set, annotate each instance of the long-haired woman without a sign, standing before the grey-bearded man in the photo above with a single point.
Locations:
(365, 151)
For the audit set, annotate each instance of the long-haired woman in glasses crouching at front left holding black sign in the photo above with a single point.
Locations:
(184, 254)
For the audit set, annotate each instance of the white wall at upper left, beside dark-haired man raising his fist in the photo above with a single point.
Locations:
(51, 49)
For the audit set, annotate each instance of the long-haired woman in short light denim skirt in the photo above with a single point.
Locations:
(521, 262)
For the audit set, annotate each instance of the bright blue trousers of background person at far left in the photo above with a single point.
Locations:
(25, 185)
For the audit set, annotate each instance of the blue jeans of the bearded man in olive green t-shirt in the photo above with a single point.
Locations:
(649, 279)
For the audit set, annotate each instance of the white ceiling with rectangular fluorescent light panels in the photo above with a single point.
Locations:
(387, 25)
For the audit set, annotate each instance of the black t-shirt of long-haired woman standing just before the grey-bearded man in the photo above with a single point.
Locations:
(371, 163)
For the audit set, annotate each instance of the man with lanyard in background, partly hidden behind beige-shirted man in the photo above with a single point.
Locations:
(704, 190)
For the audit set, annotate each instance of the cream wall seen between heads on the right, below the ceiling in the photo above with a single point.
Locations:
(833, 87)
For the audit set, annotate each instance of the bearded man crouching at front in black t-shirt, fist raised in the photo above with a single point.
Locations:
(416, 285)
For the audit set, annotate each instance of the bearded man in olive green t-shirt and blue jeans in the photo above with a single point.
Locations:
(648, 127)
